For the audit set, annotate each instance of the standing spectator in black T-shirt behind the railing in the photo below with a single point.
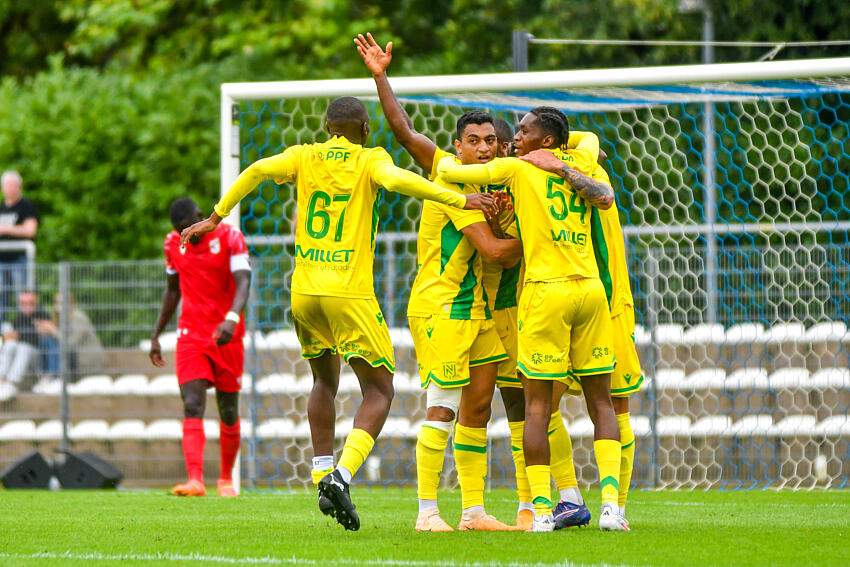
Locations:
(18, 222)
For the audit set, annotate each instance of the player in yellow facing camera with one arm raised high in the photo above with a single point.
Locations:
(457, 345)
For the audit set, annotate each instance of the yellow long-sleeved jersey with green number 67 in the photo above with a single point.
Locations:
(337, 184)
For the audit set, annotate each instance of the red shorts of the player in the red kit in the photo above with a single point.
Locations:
(201, 359)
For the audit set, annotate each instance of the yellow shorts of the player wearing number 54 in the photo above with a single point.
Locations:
(563, 326)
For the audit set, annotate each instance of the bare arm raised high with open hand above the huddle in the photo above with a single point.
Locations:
(420, 147)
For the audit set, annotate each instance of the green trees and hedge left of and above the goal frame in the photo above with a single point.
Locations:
(109, 108)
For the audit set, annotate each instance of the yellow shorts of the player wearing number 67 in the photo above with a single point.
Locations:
(347, 327)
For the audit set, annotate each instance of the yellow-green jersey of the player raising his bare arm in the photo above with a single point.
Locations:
(448, 281)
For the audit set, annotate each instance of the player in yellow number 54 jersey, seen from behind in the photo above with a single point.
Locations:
(564, 319)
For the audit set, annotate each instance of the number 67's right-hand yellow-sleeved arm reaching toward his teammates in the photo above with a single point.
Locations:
(408, 183)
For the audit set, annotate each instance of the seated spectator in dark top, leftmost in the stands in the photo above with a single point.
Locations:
(30, 333)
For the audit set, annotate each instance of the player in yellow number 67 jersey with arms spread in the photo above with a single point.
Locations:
(334, 308)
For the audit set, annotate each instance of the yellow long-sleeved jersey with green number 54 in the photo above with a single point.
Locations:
(552, 220)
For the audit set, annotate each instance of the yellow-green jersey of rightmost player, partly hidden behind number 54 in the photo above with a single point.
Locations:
(610, 249)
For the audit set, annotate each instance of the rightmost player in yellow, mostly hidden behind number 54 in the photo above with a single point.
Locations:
(627, 378)
